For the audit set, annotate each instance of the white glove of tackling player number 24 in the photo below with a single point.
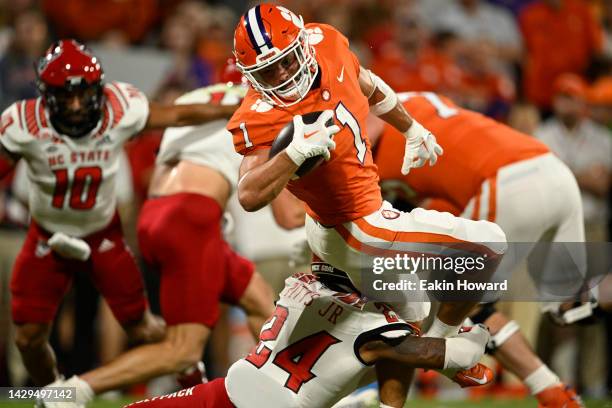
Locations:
(465, 349)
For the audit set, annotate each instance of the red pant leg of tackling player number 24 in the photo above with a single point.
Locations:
(209, 395)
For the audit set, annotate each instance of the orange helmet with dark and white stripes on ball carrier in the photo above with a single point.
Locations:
(272, 51)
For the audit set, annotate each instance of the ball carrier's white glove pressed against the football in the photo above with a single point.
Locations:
(312, 140)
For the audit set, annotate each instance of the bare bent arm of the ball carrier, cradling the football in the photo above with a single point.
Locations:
(262, 180)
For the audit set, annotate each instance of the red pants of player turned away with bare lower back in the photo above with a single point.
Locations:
(180, 235)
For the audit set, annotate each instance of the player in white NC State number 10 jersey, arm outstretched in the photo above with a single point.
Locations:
(70, 138)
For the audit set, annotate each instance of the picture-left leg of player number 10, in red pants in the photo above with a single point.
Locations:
(39, 281)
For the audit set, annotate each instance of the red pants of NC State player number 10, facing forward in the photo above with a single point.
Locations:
(41, 278)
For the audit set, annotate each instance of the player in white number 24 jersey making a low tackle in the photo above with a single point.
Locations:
(321, 343)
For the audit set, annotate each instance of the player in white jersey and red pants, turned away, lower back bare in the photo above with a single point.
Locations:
(180, 235)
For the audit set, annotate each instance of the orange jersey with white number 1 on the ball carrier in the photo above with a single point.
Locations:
(345, 187)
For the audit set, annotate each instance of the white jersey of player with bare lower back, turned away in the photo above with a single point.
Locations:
(207, 145)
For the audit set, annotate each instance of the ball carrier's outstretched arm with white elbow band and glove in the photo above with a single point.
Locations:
(421, 145)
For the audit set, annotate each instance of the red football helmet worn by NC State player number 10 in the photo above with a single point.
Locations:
(70, 82)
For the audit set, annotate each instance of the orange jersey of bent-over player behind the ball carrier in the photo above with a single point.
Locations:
(475, 147)
